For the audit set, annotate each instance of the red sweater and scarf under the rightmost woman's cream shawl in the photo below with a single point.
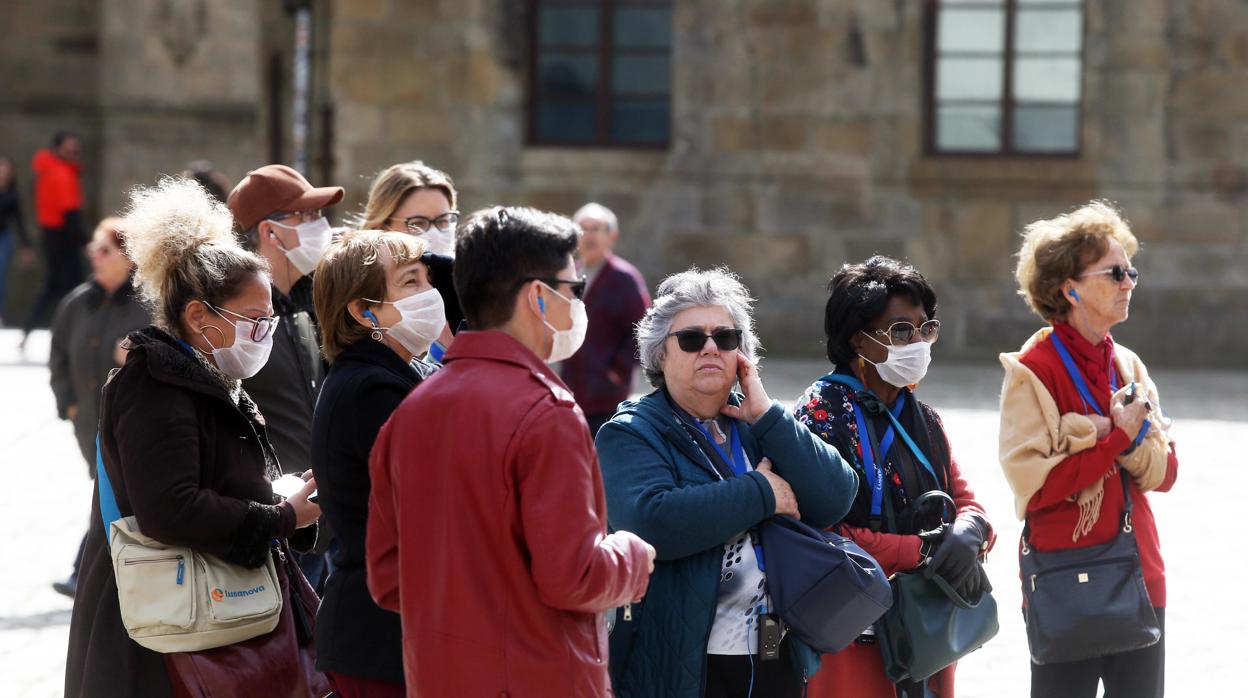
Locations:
(1053, 511)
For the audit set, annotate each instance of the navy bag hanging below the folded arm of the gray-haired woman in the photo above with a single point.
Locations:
(823, 586)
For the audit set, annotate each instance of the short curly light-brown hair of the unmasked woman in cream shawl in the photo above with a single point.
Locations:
(1059, 249)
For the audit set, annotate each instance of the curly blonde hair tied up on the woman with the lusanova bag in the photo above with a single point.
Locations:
(184, 249)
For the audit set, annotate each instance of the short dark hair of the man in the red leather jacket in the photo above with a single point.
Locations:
(499, 249)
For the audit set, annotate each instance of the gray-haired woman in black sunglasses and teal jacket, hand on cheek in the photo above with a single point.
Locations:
(695, 469)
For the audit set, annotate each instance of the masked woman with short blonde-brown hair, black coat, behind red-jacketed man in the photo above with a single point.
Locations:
(379, 313)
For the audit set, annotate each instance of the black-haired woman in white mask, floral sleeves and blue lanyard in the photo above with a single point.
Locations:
(880, 327)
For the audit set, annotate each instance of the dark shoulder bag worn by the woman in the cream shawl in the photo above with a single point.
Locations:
(1088, 602)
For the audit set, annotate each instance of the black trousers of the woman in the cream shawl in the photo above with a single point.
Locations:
(1131, 675)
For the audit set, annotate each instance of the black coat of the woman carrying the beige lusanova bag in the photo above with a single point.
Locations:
(193, 464)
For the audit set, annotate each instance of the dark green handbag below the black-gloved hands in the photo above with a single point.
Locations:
(932, 626)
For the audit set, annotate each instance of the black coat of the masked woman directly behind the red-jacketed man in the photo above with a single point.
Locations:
(368, 381)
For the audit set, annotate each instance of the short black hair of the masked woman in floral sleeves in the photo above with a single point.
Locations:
(859, 294)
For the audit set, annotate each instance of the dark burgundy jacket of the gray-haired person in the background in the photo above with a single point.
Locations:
(601, 374)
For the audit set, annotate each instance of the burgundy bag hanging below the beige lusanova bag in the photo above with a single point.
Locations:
(279, 665)
